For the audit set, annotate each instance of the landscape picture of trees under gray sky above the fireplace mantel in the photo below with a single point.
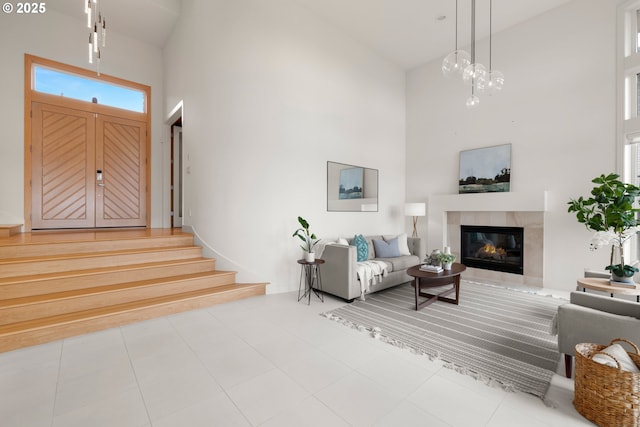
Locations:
(485, 170)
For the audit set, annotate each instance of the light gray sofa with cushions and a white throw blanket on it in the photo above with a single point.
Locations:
(339, 272)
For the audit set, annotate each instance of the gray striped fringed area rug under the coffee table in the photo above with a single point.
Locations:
(498, 335)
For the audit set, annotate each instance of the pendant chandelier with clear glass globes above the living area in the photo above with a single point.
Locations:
(474, 74)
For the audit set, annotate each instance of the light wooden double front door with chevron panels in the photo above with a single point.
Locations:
(88, 170)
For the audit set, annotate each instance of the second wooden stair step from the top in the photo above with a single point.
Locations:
(52, 264)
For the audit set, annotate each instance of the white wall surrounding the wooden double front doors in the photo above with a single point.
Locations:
(64, 39)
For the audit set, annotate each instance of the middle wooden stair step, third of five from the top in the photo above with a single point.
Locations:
(22, 286)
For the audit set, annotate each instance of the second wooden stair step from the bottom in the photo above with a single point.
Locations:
(47, 305)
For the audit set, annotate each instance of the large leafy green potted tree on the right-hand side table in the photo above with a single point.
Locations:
(610, 212)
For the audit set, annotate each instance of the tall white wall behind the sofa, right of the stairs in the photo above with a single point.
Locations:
(271, 93)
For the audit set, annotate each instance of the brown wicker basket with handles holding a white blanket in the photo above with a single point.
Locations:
(607, 396)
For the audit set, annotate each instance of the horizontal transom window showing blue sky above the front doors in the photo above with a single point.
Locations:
(82, 88)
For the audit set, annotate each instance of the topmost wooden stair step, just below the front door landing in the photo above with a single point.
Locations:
(18, 248)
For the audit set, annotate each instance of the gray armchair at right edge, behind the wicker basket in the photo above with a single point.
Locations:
(590, 318)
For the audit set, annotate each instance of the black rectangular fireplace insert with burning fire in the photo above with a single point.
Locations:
(492, 248)
